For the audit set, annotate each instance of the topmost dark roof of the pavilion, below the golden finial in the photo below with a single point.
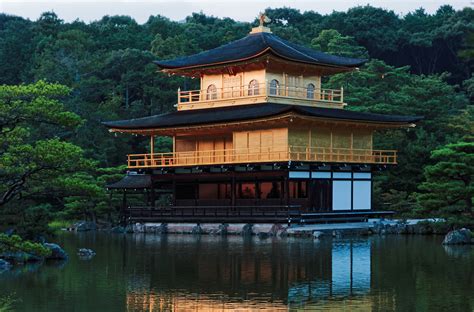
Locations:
(257, 44)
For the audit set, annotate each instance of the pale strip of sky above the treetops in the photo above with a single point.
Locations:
(241, 10)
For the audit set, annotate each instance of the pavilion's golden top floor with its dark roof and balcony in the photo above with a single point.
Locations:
(259, 68)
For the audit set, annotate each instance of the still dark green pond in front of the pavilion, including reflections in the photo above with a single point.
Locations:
(208, 273)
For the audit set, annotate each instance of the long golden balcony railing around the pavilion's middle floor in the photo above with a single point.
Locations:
(260, 155)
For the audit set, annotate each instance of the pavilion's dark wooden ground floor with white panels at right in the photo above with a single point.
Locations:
(249, 193)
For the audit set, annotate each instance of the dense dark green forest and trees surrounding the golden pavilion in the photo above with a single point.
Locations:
(52, 141)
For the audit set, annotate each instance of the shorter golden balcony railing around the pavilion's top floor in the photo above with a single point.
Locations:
(262, 89)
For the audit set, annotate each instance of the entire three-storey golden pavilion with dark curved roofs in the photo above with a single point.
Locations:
(260, 141)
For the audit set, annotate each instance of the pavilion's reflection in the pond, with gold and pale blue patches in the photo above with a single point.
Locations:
(216, 274)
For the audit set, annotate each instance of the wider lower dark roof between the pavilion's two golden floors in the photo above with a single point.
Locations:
(249, 112)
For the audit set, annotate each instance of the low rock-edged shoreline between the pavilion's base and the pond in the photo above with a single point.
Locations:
(371, 227)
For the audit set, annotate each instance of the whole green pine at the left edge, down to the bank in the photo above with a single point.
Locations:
(35, 163)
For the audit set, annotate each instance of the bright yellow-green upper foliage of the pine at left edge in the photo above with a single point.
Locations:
(24, 160)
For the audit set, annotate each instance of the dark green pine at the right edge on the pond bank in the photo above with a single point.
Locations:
(449, 187)
